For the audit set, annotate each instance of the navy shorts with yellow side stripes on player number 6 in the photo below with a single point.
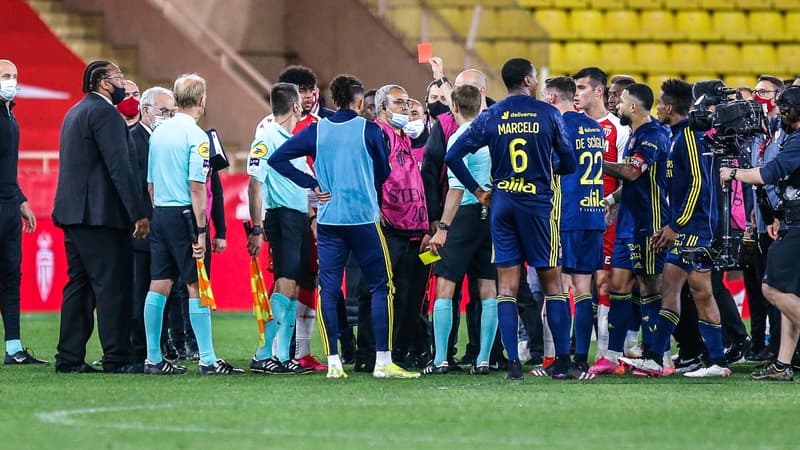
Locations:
(520, 235)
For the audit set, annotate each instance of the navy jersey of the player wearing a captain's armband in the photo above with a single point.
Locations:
(646, 198)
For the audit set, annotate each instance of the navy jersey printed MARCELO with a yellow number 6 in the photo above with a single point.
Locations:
(524, 136)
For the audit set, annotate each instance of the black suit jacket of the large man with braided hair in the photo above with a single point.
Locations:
(96, 181)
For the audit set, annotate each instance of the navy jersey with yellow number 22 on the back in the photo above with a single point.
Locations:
(582, 205)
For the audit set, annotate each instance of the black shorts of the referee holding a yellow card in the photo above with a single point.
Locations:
(468, 248)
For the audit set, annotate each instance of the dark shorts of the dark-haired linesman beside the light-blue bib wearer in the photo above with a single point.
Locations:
(288, 233)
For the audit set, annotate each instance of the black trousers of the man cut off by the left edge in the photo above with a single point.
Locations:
(10, 261)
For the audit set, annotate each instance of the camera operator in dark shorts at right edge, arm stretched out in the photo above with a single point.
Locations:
(781, 285)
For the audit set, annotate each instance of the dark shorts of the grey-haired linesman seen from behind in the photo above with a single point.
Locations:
(171, 245)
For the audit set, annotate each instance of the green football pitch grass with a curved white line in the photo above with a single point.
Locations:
(42, 409)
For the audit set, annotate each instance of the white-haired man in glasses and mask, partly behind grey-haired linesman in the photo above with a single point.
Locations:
(157, 105)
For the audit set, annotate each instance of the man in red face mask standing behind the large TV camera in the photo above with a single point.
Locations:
(763, 149)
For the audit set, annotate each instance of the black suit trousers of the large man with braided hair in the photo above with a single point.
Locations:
(100, 271)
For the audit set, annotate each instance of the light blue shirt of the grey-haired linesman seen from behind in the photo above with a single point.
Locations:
(179, 151)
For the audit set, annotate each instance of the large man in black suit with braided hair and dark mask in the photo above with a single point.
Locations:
(98, 201)
